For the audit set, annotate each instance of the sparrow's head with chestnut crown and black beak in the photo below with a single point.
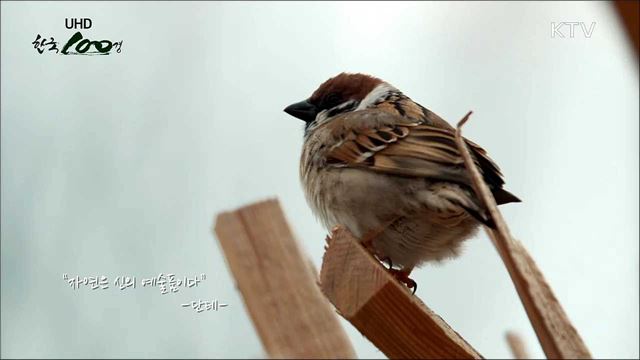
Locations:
(341, 94)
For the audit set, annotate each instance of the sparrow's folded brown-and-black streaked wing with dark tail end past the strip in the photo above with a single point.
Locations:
(414, 150)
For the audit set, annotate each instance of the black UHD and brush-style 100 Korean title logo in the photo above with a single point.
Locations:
(77, 44)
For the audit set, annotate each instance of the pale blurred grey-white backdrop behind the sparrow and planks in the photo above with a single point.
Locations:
(117, 165)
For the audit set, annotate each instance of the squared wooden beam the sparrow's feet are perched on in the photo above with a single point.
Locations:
(384, 311)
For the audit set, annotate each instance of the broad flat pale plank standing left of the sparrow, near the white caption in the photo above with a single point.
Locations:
(279, 287)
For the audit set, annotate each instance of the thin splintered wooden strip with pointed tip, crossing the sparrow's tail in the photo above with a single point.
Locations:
(558, 337)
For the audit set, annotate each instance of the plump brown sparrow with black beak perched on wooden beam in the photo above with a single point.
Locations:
(389, 170)
